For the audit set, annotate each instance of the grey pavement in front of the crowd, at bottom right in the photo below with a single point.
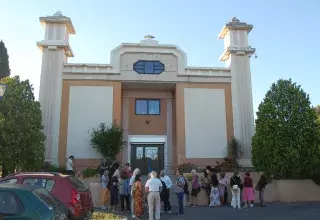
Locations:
(274, 211)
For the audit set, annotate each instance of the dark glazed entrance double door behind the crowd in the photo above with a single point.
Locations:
(147, 157)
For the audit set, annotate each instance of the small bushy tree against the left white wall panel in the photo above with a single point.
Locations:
(107, 140)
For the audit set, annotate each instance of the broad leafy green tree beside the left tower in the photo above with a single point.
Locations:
(21, 136)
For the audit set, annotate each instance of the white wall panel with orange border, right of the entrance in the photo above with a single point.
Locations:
(192, 119)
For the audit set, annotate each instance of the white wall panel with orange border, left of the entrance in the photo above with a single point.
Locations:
(84, 105)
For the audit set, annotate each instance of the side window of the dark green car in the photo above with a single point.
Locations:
(10, 204)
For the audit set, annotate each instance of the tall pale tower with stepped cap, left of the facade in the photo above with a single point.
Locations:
(55, 52)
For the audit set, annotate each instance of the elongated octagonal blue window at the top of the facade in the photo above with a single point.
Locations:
(148, 67)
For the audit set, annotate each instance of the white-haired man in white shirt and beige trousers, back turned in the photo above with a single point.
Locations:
(153, 188)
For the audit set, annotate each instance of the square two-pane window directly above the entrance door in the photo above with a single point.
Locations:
(147, 107)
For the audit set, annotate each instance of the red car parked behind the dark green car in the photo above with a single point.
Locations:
(69, 190)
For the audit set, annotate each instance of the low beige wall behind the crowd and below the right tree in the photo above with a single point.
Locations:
(277, 191)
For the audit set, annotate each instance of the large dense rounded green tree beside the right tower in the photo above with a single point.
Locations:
(287, 141)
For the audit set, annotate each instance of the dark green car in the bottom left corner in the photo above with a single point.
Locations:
(28, 203)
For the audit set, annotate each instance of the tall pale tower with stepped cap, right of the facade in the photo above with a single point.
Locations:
(236, 55)
